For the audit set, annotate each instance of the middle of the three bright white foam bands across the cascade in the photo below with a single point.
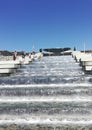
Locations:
(45, 99)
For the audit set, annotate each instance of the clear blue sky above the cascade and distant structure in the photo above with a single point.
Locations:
(45, 24)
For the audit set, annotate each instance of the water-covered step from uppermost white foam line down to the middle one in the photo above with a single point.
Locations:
(62, 90)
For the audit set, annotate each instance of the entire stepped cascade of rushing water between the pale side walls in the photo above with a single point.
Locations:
(51, 93)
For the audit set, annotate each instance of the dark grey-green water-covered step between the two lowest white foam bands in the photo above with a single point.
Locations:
(46, 108)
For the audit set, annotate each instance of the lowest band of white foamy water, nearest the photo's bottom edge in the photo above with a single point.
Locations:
(46, 122)
